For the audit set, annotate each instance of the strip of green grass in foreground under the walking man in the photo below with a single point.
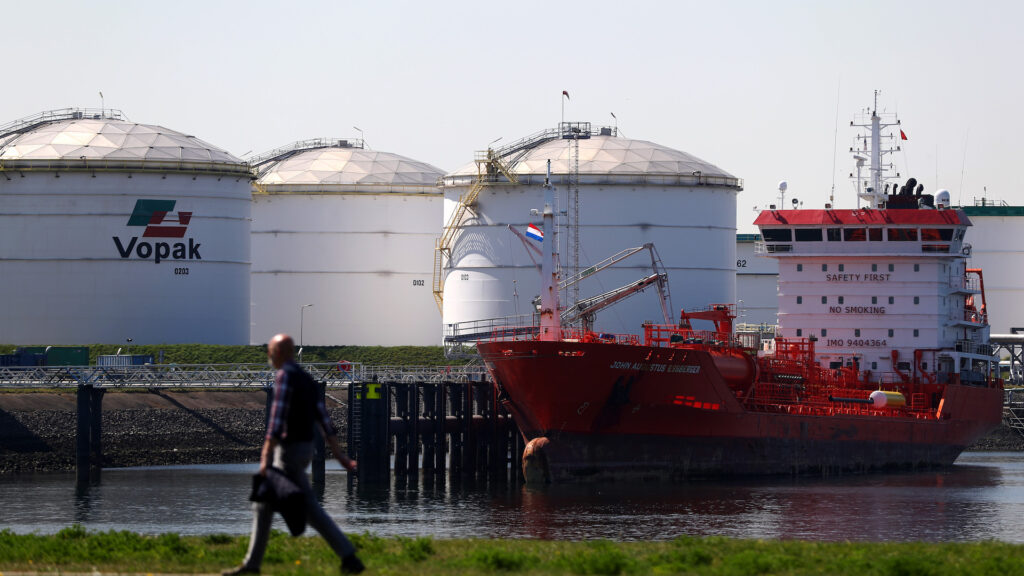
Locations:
(75, 550)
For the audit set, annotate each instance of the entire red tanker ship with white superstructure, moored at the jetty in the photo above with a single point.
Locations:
(891, 371)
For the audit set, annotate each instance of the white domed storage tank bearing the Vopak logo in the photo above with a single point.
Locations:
(112, 230)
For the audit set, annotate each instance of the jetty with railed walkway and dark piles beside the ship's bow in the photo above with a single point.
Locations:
(402, 420)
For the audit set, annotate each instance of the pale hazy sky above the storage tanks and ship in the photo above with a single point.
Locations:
(753, 88)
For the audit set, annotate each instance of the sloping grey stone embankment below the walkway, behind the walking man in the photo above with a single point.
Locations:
(37, 430)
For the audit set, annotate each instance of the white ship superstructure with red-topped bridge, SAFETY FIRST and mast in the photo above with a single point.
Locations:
(885, 289)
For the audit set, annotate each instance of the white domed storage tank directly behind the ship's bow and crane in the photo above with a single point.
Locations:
(631, 192)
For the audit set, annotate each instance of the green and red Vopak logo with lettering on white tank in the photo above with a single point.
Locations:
(154, 216)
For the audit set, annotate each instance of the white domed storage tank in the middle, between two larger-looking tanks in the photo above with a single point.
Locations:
(352, 232)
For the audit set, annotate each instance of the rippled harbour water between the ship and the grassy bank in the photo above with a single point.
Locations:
(980, 499)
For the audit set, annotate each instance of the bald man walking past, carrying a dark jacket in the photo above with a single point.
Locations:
(289, 446)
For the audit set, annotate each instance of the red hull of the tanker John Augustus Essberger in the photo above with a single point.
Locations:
(620, 410)
